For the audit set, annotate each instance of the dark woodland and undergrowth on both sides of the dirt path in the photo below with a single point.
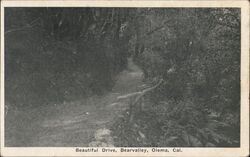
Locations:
(54, 55)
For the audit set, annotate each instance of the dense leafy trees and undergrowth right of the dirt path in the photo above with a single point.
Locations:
(197, 53)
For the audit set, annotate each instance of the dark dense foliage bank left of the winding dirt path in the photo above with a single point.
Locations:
(60, 54)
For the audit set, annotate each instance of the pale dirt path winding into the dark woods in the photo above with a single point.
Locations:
(78, 123)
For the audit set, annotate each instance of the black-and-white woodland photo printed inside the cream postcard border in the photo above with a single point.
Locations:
(123, 77)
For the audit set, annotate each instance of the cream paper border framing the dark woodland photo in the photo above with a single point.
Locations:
(186, 151)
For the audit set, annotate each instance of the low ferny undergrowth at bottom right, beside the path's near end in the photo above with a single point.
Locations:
(172, 124)
